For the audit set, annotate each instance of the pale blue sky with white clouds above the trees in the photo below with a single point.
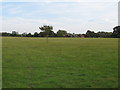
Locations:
(75, 16)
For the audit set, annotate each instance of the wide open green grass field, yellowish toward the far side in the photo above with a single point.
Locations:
(60, 63)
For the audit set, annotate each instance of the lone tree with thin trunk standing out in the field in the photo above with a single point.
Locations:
(46, 29)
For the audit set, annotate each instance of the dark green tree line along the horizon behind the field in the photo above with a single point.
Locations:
(47, 31)
